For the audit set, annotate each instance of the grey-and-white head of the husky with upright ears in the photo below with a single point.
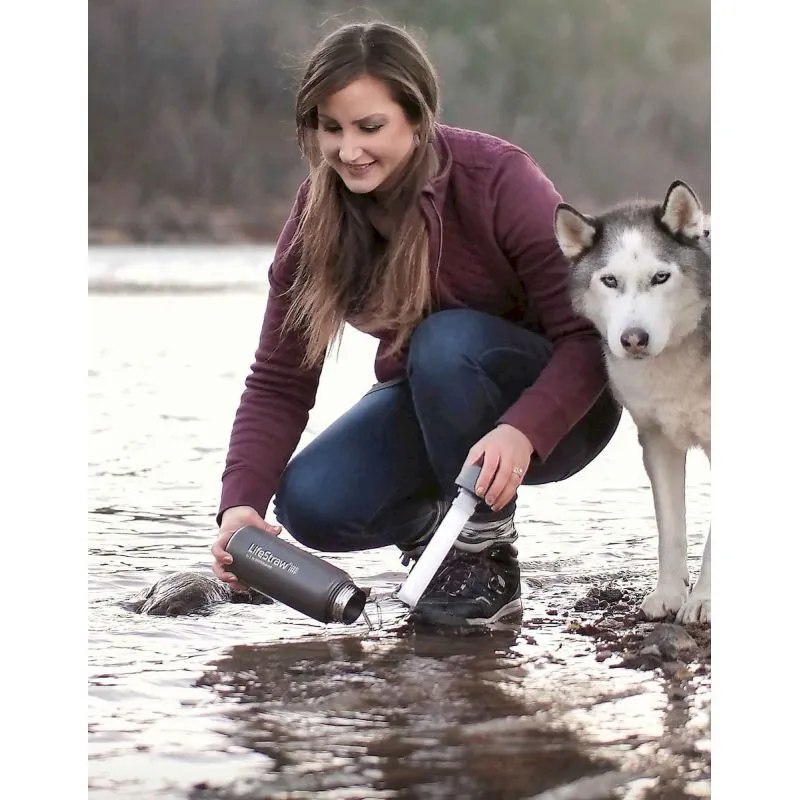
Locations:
(641, 272)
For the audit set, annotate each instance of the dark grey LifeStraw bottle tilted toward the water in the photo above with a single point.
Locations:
(278, 569)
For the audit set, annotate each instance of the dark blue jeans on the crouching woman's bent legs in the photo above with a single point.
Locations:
(370, 478)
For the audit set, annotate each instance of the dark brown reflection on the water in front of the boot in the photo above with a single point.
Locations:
(407, 716)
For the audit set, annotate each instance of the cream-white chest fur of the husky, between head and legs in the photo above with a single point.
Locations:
(671, 390)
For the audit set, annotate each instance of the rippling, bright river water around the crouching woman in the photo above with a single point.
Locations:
(260, 702)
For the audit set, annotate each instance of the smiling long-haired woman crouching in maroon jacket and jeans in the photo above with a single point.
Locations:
(439, 242)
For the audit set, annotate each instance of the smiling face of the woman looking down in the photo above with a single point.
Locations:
(364, 134)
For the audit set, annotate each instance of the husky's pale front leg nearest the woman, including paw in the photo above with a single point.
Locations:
(665, 465)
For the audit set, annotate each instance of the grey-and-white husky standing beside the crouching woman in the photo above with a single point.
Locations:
(641, 273)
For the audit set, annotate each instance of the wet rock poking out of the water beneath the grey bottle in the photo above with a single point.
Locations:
(187, 593)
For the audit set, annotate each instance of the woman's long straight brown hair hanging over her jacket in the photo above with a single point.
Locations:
(344, 275)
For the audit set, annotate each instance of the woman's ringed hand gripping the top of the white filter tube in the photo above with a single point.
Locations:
(506, 454)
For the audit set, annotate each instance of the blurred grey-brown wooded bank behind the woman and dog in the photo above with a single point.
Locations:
(191, 101)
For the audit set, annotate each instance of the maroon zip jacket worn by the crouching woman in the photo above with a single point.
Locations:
(489, 214)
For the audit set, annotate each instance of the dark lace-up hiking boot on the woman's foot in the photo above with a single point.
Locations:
(473, 588)
